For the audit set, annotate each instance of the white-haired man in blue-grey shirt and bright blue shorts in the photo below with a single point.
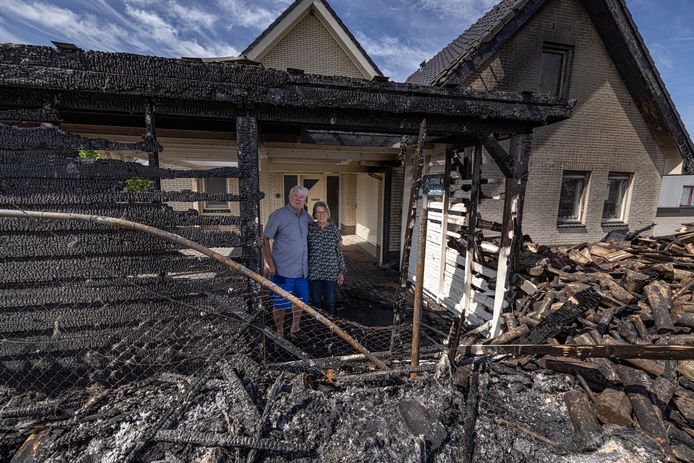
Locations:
(287, 261)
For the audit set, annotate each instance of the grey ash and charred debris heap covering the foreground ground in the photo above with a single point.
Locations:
(522, 418)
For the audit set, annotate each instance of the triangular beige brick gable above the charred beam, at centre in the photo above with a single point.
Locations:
(309, 46)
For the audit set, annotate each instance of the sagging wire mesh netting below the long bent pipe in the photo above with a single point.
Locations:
(112, 329)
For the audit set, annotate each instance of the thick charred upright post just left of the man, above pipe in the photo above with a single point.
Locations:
(247, 141)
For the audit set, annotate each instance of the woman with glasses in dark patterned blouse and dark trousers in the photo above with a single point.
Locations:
(326, 264)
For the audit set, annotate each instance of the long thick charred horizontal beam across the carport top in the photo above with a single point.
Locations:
(117, 74)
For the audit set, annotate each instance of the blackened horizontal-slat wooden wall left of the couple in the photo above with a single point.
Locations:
(82, 302)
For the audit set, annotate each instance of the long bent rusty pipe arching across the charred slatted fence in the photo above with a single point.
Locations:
(112, 221)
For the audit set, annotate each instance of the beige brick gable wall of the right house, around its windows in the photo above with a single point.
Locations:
(605, 134)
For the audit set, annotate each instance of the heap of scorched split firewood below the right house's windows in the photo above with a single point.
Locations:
(630, 295)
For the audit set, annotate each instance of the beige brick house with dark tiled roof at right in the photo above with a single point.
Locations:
(602, 169)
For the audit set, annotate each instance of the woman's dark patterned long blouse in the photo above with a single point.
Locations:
(325, 259)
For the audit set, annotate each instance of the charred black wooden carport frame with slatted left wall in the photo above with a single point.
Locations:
(89, 306)
